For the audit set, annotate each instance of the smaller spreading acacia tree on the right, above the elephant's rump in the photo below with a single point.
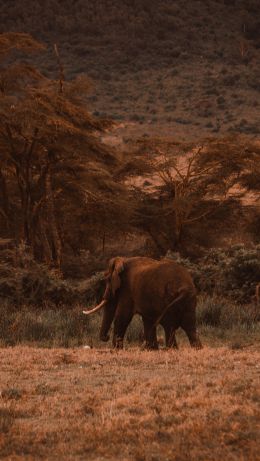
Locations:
(194, 182)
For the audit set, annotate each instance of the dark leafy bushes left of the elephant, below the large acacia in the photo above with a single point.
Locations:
(24, 281)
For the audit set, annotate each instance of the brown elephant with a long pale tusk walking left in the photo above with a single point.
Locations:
(160, 291)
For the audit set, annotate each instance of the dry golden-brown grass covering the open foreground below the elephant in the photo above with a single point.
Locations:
(129, 405)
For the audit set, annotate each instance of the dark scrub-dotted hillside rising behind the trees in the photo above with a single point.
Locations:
(172, 67)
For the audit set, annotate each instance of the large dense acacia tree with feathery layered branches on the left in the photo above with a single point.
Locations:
(51, 161)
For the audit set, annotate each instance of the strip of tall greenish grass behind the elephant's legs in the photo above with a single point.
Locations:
(66, 327)
